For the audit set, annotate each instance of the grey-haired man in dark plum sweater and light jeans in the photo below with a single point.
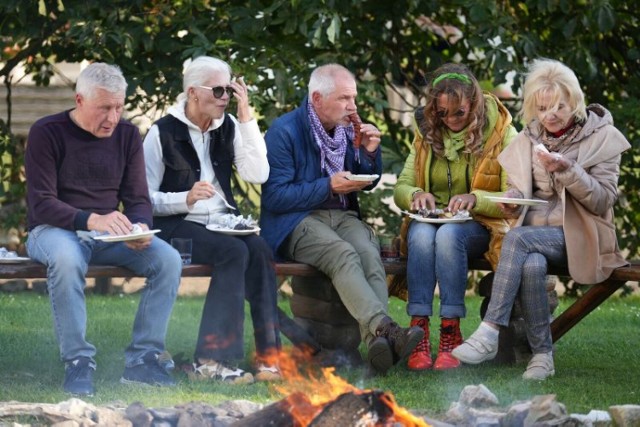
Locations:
(81, 166)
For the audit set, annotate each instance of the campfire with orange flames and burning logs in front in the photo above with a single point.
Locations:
(313, 398)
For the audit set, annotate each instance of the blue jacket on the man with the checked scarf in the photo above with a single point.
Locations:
(297, 185)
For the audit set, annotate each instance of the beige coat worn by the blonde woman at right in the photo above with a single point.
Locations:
(587, 192)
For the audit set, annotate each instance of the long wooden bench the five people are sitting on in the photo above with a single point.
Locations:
(585, 304)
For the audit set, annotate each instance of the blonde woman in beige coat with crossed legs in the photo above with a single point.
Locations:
(568, 156)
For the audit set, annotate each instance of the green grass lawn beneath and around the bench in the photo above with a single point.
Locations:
(597, 362)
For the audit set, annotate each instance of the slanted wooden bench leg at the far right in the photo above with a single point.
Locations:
(584, 305)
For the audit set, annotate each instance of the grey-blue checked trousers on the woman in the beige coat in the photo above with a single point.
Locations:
(522, 272)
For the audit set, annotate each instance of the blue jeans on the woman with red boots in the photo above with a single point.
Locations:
(440, 253)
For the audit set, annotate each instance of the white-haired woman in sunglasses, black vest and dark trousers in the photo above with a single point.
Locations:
(190, 155)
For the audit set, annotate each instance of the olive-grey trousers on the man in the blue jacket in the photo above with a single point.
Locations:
(347, 250)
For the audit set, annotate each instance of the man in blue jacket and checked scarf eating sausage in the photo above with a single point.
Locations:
(310, 211)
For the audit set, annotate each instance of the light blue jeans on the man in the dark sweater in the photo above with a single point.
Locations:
(67, 257)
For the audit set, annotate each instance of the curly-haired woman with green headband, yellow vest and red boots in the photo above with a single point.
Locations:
(452, 167)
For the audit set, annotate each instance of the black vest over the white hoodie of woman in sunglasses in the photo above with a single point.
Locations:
(182, 167)
